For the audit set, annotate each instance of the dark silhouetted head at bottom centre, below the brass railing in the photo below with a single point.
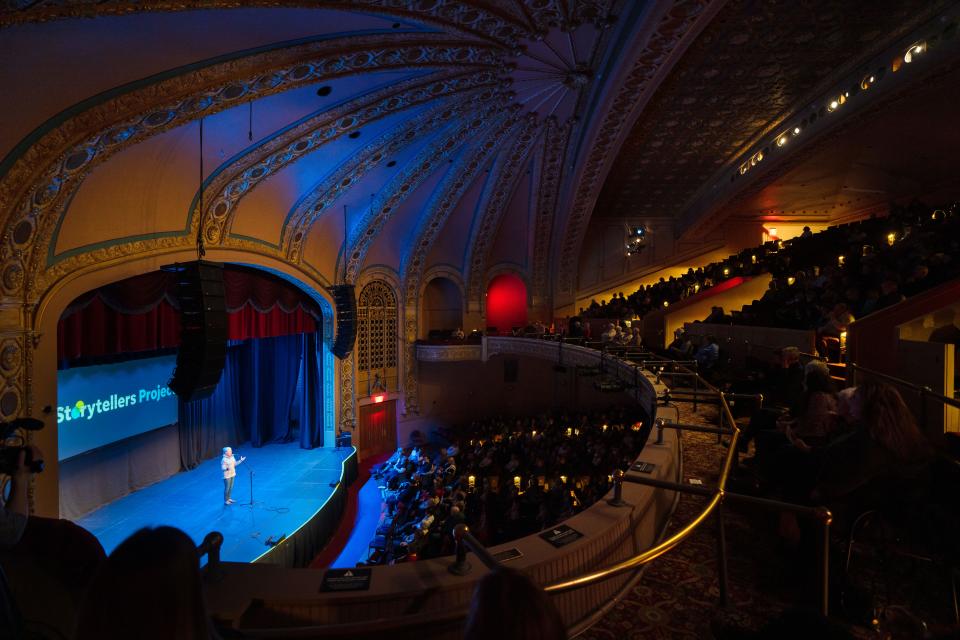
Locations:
(507, 605)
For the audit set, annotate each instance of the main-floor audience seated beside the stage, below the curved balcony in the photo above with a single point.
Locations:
(505, 478)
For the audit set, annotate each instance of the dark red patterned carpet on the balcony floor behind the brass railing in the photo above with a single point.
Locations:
(678, 596)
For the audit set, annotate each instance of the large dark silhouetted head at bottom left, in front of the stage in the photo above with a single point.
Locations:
(149, 587)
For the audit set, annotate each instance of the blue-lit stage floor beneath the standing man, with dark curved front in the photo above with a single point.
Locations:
(299, 493)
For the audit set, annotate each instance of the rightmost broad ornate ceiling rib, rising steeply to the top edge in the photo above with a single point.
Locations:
(675, 24)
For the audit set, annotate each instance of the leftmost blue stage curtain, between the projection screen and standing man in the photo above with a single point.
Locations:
(212, 423)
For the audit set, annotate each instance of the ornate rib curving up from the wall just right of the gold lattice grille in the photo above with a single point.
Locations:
(448, 195)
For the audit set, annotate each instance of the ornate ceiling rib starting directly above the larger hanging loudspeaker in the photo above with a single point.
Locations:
(232, 182)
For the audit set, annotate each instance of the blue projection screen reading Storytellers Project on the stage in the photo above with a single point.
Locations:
(102, 404)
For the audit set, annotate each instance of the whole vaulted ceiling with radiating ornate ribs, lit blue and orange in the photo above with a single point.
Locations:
(411, 137)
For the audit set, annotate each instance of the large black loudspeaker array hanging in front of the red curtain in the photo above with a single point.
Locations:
(203, 328)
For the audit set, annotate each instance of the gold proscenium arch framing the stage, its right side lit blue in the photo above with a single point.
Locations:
(38, 379)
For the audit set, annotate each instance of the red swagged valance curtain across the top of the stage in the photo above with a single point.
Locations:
(141, 314)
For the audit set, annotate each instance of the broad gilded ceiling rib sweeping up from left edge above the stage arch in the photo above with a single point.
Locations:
(57, 164)
